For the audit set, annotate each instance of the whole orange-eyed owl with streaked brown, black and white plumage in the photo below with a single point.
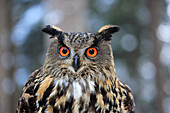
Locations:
(78, 76)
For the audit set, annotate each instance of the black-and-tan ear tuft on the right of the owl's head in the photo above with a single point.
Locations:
(106, 31)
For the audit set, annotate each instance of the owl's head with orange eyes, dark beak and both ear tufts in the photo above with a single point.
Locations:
(80, 53)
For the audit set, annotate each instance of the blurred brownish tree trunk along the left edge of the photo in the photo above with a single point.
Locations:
(7, 100)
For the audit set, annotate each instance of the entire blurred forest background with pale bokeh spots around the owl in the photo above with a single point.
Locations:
(141, 49)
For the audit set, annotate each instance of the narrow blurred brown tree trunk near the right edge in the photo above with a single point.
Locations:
(155, 21)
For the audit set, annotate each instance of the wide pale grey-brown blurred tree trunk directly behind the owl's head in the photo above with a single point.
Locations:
(70, 15)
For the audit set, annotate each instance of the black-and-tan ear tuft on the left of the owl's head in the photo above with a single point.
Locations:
(52, 30)
